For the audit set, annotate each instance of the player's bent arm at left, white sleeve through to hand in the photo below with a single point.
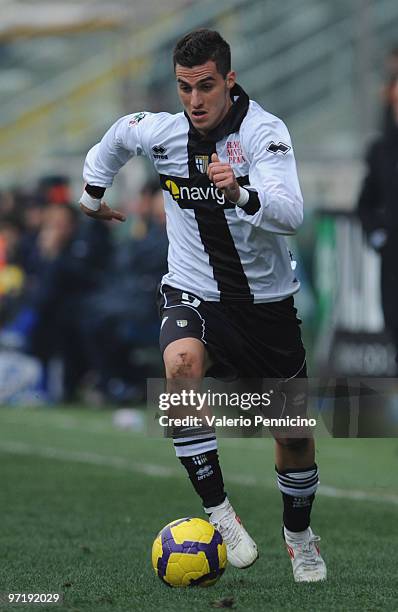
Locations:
(122, 141)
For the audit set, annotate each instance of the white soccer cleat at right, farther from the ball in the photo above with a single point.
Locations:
(303, 549)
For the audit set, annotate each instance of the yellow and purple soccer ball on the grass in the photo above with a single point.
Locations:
(189, 552)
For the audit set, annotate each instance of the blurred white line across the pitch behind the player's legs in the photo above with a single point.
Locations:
(151, 469)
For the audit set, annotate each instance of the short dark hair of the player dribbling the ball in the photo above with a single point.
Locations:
(200, 46)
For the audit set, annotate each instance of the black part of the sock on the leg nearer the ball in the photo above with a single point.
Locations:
(205, 474)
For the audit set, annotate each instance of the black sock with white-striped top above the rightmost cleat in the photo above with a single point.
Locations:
(298, 488)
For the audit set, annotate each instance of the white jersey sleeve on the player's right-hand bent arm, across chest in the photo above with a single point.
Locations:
(275, 200)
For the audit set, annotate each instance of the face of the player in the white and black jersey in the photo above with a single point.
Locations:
(204, 94)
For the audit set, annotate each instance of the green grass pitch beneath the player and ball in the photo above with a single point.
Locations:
(81, 502)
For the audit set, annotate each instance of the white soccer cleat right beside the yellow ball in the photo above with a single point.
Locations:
(241, 549)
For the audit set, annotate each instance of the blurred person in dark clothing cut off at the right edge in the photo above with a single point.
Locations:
(378, 210)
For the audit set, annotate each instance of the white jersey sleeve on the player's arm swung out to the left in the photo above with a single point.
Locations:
(127, 137)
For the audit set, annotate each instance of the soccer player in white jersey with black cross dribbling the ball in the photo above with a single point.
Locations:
(231, 193)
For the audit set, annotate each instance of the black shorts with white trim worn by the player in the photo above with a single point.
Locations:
(244, 340)
